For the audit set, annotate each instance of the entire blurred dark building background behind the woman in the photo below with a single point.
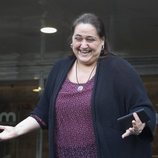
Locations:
(27, 54)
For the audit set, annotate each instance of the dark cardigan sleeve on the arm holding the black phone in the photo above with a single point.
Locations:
(135, 96)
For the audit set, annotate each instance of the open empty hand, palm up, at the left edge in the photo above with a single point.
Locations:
(8, 132)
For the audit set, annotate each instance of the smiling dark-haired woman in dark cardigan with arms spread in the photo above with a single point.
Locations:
(84, 95)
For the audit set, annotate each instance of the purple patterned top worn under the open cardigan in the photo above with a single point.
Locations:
(74, 128)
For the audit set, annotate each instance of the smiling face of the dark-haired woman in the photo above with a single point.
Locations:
(86, 44)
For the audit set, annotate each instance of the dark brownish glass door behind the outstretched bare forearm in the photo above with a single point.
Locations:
(17, 100)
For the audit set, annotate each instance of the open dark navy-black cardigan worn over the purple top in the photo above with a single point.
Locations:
(118, 90)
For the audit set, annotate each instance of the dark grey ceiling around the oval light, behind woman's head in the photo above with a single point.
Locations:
(132, 26)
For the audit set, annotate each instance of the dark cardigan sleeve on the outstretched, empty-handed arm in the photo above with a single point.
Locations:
(47, 100)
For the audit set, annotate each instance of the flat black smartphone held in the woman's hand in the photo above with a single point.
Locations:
(126, 121)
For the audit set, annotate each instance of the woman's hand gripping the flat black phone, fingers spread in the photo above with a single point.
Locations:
(137, 128)
